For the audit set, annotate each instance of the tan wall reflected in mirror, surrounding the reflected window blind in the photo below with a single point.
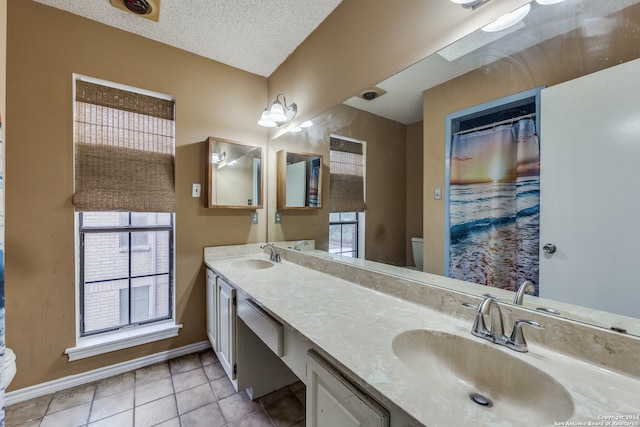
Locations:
(385, 233)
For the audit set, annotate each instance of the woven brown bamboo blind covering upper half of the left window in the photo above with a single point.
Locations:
(124, 150)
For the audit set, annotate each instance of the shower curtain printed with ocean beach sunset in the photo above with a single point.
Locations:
(494, 206)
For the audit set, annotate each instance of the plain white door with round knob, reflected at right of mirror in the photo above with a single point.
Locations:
(590, 196)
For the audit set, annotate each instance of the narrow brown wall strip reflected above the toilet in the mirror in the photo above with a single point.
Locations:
(414, 185)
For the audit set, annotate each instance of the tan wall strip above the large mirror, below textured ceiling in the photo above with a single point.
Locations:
(365, 41)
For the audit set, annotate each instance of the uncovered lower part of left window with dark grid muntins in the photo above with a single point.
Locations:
(126, 269)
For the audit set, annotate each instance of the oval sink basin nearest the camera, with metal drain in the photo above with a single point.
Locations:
(517, 391)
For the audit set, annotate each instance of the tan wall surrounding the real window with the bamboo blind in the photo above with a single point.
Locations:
(45, 46)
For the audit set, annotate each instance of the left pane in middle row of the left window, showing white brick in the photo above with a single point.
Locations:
(104, 258)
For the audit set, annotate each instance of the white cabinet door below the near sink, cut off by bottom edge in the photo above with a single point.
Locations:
(332, 401)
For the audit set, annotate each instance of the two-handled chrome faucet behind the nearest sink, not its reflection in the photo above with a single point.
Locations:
(495, 332)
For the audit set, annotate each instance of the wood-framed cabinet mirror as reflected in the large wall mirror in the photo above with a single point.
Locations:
(299, 180)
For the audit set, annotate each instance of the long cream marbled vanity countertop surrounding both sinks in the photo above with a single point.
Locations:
(355, 326)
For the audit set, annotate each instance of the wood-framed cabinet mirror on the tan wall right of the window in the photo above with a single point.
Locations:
(234, 174)
